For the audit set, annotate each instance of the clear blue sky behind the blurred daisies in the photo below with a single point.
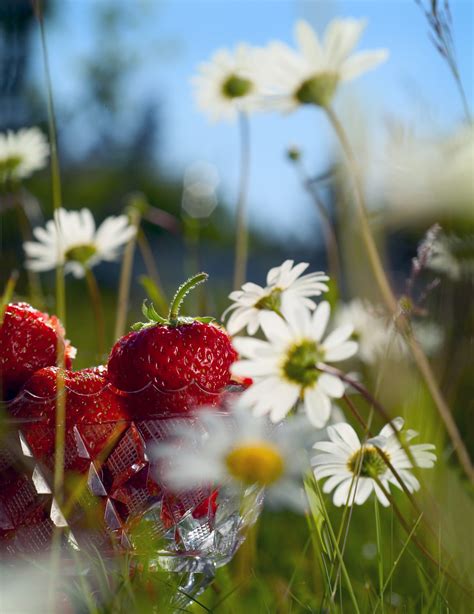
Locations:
(167, 40)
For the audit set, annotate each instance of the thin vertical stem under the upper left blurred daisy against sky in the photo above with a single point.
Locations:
(241, 230)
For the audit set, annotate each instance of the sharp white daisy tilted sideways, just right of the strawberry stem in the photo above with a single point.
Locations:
(286, 289)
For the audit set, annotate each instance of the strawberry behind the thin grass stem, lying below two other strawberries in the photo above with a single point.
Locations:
(94, 414)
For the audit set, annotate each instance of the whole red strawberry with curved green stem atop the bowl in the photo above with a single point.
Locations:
(172, 365)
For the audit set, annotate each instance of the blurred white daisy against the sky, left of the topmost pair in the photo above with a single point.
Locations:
(228, 84)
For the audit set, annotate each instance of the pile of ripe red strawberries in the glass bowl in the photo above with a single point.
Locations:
(166, 367)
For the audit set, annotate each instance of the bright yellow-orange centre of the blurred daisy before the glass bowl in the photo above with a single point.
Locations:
(258, 462)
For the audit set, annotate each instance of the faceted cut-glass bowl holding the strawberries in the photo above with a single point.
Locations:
(112, 496)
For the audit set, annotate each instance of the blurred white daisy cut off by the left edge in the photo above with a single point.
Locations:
(22, 153)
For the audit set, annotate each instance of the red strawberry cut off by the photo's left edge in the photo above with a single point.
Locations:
(29, 340)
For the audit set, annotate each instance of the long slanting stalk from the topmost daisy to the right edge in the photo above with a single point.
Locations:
(391, 302)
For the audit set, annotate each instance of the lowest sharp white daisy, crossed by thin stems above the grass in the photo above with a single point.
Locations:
(353, 468)
